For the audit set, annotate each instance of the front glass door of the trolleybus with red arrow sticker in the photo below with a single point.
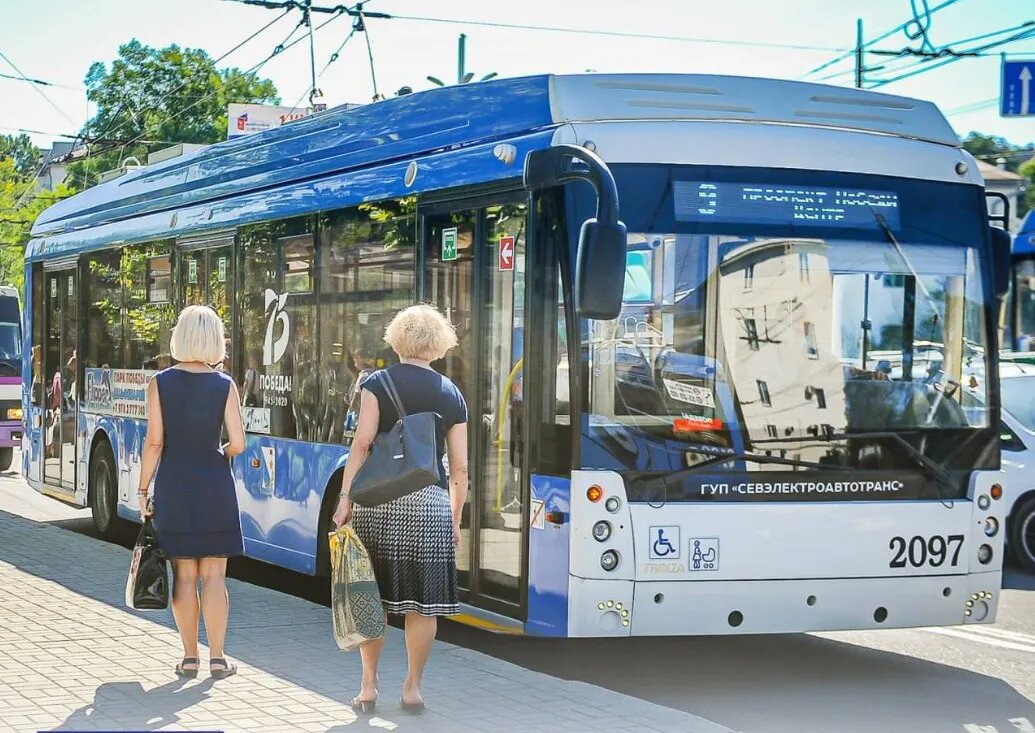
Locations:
(475, 272)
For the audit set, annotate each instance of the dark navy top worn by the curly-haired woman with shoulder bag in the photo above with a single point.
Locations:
(421, 391)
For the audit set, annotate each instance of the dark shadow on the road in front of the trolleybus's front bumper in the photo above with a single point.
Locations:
(776, 684)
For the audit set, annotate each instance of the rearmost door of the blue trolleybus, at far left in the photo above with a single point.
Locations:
(61, 369)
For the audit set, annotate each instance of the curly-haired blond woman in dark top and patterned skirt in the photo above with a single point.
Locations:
(412, 541)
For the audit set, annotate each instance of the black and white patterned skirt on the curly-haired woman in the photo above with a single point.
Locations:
(410, 543)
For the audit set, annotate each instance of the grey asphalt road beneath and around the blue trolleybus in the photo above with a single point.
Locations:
(939, 681)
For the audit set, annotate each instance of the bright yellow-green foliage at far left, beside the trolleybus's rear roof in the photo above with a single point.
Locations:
(20, 204)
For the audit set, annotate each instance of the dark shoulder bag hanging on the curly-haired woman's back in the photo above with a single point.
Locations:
(402, 461)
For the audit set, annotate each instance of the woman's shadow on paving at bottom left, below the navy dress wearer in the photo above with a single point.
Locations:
(129, 707)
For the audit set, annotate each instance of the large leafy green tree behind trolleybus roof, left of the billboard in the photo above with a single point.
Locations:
(159, 97)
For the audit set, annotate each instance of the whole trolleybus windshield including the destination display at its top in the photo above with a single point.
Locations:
(759, 315)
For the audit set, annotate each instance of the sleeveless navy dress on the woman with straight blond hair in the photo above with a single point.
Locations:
(196, 512)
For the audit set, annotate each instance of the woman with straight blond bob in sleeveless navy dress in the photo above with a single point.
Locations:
(195, 507)
